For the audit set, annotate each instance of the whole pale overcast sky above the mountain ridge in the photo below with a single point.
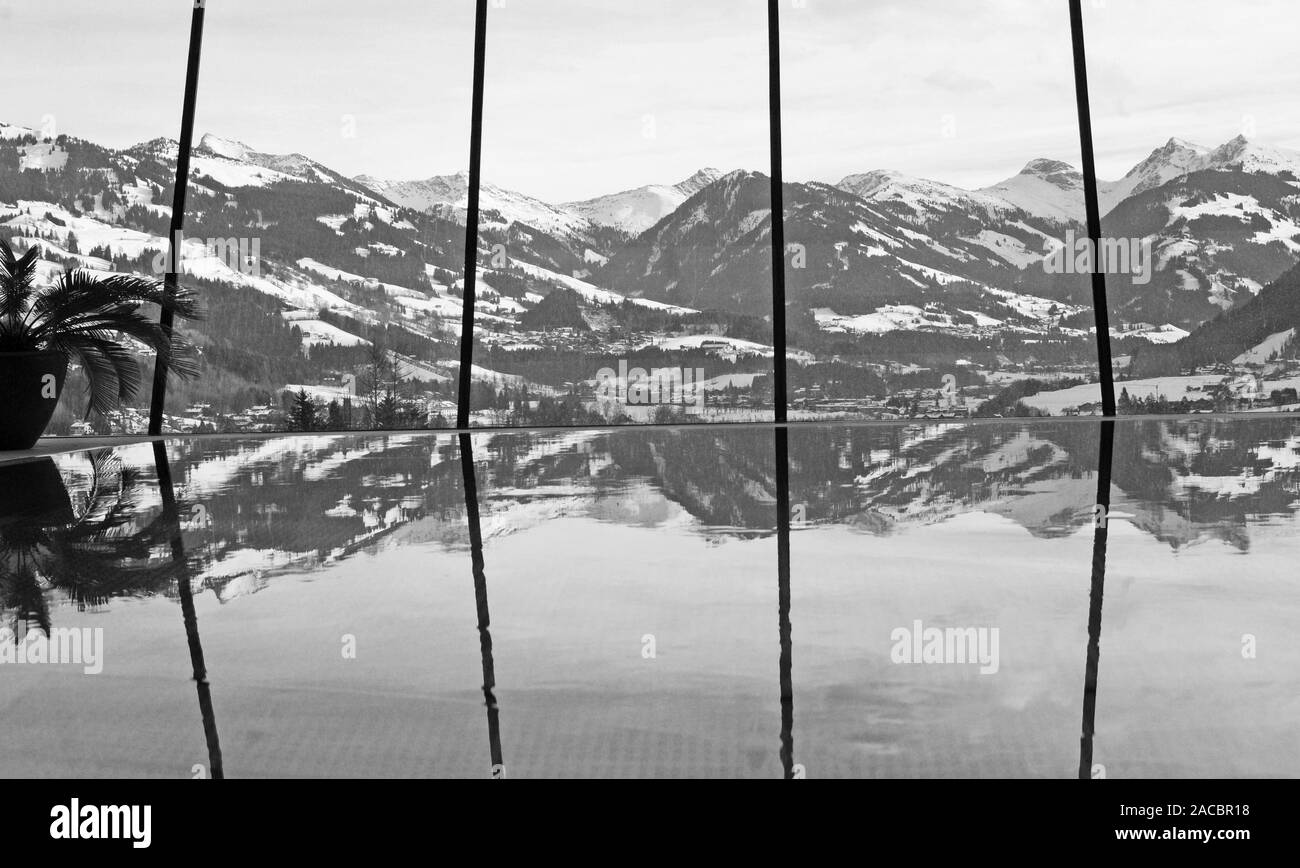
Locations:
(591, 97)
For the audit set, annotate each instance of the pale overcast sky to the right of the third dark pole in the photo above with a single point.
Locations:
(982, 88)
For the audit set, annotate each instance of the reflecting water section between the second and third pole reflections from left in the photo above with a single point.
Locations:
(652, 650)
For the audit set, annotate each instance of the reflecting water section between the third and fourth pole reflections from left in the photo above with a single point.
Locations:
(892, 532)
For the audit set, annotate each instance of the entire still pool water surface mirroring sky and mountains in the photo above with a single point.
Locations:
(597, 541)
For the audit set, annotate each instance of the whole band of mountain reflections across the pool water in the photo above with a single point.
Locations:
(257, 509)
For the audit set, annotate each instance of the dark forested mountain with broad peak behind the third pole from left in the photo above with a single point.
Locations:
(890, 254)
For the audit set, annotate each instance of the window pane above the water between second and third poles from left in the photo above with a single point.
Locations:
(625, 236)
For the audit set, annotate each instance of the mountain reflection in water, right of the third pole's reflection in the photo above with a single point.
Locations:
(1181, 481)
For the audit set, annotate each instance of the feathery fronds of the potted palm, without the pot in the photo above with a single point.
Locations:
(86, 316)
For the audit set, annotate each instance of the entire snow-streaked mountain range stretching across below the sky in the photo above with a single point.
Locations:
(878, 253)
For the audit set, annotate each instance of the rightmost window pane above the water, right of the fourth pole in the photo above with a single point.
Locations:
(1198, 142)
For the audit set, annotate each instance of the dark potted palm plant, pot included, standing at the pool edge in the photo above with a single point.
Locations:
(99, 322)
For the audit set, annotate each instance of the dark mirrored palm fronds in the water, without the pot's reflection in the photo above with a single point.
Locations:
(101, 554)
